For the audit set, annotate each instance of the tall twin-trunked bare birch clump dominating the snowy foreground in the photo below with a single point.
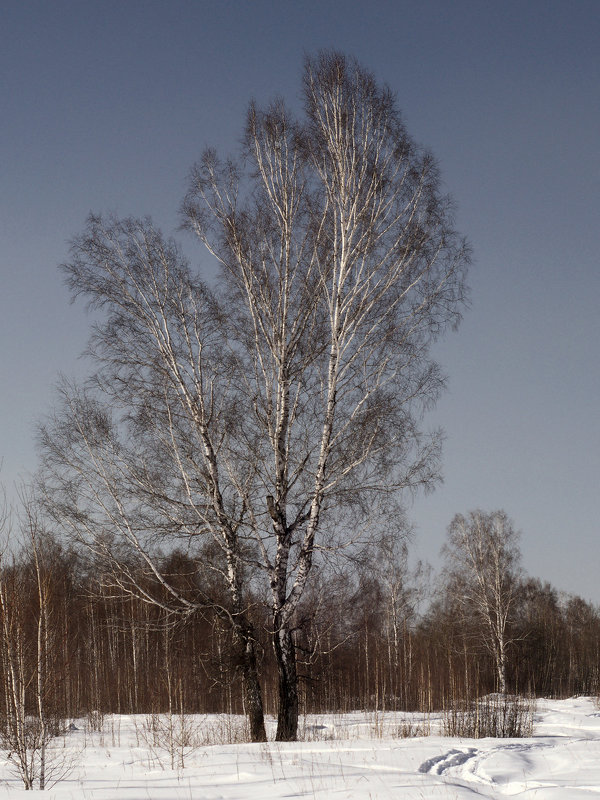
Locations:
(278, 416)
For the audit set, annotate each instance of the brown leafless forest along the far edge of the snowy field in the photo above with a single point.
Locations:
(383, 636)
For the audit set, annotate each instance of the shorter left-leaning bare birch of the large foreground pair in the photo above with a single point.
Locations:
(133, 462)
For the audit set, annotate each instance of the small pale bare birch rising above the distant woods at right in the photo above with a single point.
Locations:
(482, 558)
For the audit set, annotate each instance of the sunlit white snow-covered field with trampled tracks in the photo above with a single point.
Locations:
(351, 756)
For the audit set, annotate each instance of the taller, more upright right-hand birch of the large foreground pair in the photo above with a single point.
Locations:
(340, 267)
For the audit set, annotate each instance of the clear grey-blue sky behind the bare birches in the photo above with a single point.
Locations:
(106, 105)
